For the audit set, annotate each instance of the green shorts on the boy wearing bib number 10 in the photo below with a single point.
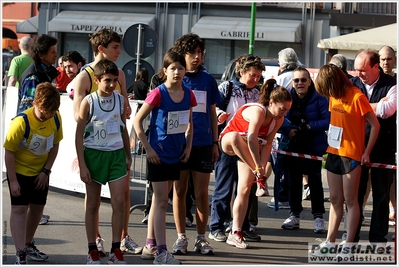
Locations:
(105, 166)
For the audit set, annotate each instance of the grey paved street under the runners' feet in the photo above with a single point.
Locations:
(64, 238)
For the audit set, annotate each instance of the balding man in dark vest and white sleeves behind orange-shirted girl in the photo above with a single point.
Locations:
(380, 89)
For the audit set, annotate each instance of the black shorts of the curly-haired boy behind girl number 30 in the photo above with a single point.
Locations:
(200, 159)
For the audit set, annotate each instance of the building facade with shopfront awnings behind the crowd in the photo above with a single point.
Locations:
(225, 27)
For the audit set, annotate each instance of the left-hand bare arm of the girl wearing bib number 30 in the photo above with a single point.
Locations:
(143, 112)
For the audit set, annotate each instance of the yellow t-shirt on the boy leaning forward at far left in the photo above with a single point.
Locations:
(32, 154)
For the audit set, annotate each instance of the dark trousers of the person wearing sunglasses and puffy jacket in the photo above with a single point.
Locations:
(298, 167)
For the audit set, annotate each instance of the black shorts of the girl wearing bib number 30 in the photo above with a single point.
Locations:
(163, 172)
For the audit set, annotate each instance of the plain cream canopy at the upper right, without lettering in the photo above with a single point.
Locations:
(373, 38)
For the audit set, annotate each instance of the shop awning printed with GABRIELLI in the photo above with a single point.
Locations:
(271, 30)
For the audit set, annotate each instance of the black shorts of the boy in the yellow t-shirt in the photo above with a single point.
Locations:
(29, 195)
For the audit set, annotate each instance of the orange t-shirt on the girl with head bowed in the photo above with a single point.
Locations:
(348, 114)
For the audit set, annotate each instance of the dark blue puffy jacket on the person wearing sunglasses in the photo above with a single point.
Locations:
(316, 115)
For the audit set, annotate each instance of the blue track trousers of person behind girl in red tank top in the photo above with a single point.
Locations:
(226, 174)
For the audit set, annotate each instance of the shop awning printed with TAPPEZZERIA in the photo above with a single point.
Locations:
(89, 22)
